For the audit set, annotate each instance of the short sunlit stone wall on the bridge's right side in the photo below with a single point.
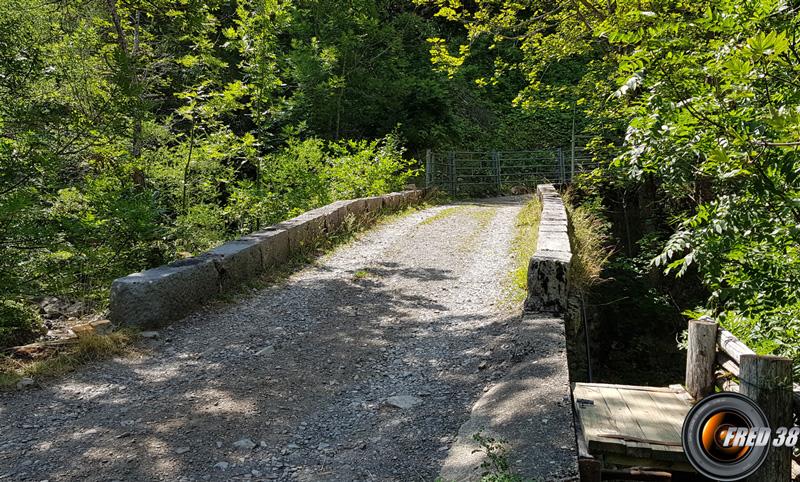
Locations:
(548, 268)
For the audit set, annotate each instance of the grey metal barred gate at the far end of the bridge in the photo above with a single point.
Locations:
(476, 172)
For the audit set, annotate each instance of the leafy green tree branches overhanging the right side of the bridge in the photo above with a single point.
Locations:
(698, 99)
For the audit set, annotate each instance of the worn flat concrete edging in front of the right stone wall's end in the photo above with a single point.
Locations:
(529, 409)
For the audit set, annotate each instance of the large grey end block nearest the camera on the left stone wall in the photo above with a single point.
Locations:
(164, 294)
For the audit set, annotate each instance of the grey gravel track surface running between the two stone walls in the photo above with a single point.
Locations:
(362, 366)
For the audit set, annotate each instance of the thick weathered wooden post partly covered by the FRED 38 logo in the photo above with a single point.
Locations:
(767, 380)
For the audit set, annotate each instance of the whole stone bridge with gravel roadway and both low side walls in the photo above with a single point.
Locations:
(377, 361)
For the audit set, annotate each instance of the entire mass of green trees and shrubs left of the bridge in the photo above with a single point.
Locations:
(134, 133)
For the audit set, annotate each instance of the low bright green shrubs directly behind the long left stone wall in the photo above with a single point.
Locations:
(102, 225)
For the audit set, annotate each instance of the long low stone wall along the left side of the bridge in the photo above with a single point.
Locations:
(167, 293)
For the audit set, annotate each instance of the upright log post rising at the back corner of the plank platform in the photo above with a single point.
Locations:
(700, 358)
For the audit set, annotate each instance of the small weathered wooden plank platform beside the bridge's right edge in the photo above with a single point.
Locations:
(631, 425)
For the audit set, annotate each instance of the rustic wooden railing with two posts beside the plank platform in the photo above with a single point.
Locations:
(717, 359)
